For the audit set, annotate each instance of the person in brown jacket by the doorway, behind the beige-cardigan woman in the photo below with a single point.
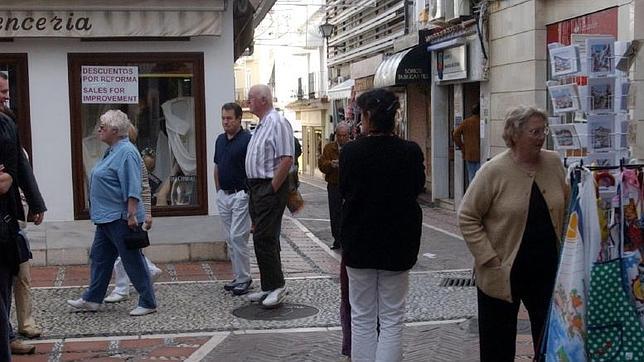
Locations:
(467, 137)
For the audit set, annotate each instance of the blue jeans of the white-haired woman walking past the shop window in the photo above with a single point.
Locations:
(108, 245)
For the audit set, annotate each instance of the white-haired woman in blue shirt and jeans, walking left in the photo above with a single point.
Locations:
(115, 208)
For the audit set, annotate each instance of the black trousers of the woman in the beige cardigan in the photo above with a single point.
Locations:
(498, 318)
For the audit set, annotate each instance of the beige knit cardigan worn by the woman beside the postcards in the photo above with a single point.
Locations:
(494, 211)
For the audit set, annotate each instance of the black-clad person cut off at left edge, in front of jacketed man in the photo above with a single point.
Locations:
(9, 258)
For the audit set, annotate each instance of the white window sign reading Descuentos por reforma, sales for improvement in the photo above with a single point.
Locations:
(109, 84)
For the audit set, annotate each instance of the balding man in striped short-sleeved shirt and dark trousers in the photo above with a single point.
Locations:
(268, 160)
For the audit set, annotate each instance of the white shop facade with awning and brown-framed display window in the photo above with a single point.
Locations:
(167, 64)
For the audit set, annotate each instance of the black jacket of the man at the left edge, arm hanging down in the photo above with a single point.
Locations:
(26, 180)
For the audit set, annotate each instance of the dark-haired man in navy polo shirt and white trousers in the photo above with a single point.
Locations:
(232, 194)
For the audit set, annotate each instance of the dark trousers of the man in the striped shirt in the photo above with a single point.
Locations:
(266, 209)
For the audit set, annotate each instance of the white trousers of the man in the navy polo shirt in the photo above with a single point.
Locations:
(235, 218)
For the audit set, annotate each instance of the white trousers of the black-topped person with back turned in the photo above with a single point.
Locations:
(377, 295)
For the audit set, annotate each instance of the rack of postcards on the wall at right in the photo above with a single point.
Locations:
(590, 94)
